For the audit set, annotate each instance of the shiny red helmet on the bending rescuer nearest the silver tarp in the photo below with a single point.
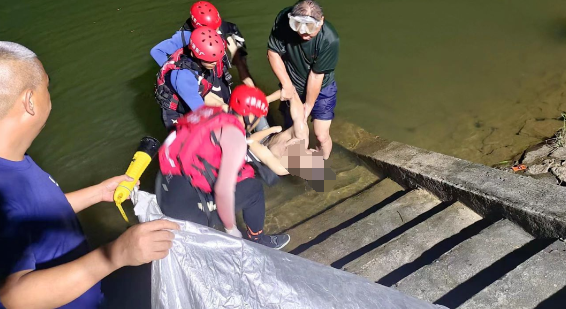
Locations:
(246, 100)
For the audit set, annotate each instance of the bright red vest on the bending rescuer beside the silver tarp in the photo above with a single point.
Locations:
(192, 150)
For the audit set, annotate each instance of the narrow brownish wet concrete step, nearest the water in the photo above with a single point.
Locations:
(312, 230)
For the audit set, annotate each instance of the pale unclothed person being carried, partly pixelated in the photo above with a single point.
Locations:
(285, 154)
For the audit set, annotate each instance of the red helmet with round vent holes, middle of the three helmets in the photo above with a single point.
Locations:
(206, 44)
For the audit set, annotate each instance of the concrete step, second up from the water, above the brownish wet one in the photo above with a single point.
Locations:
(343, 240)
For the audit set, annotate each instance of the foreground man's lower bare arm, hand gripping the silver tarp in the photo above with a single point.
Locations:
(57, 286)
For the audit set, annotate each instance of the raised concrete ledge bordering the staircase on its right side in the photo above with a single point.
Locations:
(534, 205)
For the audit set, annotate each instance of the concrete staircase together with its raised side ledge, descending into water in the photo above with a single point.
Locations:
(388, 227)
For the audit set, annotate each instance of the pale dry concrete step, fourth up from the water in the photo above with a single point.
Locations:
(465, 261)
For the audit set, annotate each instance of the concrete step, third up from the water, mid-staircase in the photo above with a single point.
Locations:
(388, 263)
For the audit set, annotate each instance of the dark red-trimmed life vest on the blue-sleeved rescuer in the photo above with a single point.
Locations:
(165, 94)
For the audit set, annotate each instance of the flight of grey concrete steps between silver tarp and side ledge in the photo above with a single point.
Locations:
(440, 252)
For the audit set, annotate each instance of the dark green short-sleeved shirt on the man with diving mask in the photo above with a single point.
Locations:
(319, 54)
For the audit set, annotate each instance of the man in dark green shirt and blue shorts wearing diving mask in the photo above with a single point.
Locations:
(303, 53)
